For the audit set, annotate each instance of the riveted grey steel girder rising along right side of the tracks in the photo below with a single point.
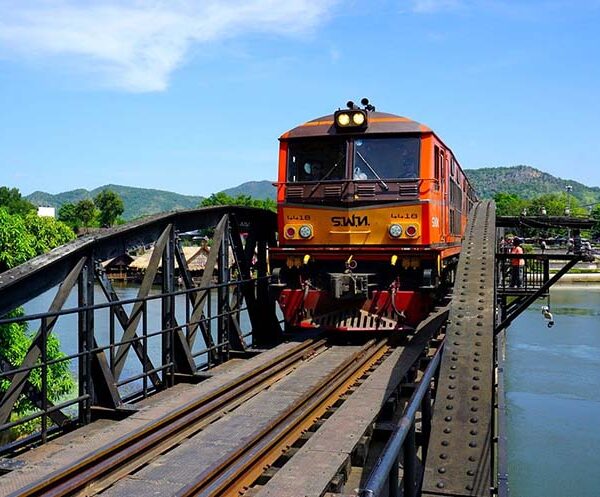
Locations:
(459, 457)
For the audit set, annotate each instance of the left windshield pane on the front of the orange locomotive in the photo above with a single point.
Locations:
(316, 160)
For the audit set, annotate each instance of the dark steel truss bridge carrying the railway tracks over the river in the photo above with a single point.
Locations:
(195, 389)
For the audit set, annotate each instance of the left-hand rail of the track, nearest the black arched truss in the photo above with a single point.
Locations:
(155, 436)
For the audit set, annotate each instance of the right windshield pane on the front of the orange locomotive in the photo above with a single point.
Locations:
(387, 158)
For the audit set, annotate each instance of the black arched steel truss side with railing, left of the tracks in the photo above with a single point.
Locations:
(120, 350)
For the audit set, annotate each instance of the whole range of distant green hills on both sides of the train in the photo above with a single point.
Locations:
(524, 181)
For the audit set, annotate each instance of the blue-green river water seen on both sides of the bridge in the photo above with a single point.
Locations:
(552, 384)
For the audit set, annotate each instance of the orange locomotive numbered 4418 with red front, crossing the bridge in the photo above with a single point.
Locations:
(371, 210)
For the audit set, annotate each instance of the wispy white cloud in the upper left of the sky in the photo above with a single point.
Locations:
(136, 44)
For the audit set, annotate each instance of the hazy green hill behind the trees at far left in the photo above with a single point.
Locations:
(138, 201)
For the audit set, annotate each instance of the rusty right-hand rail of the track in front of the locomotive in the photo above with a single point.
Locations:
(238, 470)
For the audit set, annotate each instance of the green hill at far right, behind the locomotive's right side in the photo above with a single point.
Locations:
(527, 182)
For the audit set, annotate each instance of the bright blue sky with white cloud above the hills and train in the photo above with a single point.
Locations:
(191, 96)
